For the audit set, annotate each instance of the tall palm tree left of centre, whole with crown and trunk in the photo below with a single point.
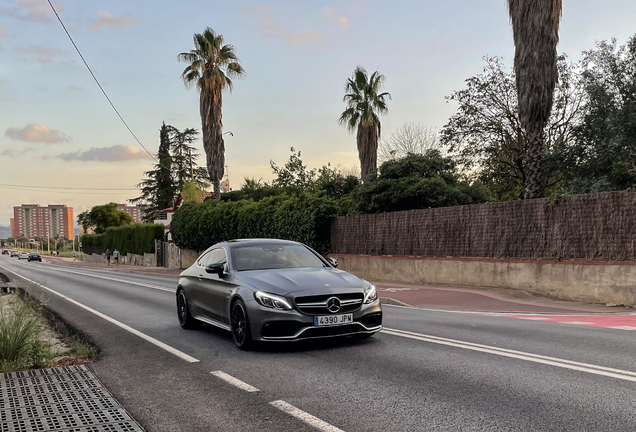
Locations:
(212, 66)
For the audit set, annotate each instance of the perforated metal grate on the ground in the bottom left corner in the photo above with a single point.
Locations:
(69, 399)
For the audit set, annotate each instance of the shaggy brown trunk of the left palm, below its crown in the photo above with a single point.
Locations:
(211, 104)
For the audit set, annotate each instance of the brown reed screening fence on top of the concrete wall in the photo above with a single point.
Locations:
(594, 226)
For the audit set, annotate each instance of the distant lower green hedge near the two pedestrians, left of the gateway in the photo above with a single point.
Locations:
(136, 239)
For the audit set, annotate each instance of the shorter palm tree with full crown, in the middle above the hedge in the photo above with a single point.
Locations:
(364, 104)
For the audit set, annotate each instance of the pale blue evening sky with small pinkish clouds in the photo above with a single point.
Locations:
(57, 130)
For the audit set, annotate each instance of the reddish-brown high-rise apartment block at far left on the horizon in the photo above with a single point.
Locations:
(53, 221)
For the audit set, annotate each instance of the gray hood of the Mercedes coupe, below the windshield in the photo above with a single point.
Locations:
(294, 281)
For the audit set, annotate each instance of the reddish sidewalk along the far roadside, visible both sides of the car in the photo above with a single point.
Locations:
(423, 296)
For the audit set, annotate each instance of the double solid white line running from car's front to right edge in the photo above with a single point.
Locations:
(536, 358)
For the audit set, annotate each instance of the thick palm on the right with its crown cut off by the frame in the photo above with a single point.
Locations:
(535, 28)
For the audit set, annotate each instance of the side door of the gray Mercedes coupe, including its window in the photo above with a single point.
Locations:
(214, 289)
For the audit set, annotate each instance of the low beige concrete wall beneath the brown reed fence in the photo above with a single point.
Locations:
(588, 281)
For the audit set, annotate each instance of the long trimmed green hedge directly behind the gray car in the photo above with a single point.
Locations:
(305, 218)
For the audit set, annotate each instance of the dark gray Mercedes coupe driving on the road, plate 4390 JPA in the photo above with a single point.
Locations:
(275, 290)
